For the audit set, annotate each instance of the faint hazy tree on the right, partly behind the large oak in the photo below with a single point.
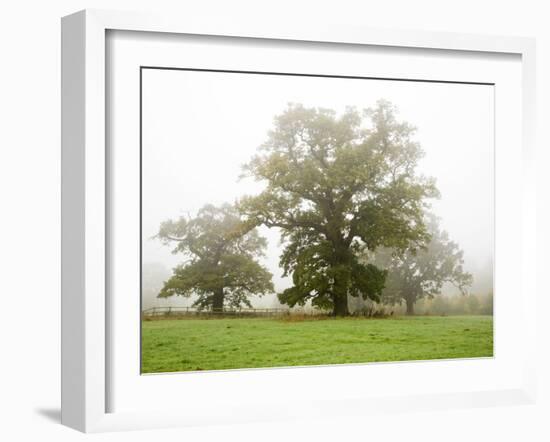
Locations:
(421, 273)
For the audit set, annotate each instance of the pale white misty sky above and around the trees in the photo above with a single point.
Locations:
(199, 128)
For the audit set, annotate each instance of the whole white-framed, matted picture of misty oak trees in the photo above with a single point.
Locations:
(262, 222)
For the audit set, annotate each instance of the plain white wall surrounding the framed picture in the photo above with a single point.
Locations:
(30, 215)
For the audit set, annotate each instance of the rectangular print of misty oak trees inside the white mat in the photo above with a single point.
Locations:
(298, 220)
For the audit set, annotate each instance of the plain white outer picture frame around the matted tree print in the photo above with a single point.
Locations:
(85, 209)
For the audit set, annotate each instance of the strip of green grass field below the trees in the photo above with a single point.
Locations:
(170, 345)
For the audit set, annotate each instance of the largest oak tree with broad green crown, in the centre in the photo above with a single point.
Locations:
(335, 186)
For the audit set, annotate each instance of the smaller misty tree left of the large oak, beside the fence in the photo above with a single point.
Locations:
(221, 267)
